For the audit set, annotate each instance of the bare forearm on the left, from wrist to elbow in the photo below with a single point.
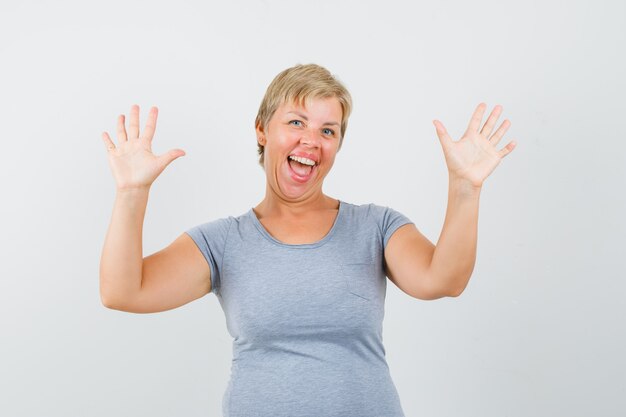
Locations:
(122, 257)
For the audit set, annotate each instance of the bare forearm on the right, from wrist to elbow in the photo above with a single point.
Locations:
(455, 253)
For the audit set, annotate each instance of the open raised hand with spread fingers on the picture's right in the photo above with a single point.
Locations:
(474, 156)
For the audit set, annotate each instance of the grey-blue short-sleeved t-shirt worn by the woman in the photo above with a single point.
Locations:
(306, 320)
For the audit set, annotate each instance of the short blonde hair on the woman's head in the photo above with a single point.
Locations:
(296, 85)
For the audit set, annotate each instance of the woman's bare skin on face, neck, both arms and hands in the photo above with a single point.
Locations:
(293, 212)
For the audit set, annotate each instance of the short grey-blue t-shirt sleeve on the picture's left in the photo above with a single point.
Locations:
(211, 238)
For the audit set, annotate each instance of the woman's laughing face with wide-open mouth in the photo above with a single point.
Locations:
(308, 134)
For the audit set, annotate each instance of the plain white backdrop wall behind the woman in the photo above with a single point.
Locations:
(540, 329)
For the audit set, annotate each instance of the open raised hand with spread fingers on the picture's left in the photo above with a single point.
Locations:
(132, 162)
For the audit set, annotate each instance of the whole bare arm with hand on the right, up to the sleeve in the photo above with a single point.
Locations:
(414, 264)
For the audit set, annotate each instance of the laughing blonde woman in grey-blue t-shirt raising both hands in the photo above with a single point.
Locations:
(301, 276)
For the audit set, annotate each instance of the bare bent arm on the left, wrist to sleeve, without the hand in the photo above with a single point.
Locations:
(167, 279)
